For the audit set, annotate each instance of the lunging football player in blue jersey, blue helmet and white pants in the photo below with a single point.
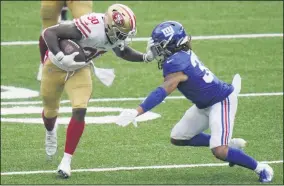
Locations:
(215, 102)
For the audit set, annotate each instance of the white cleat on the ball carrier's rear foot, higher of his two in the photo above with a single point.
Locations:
(51, 142)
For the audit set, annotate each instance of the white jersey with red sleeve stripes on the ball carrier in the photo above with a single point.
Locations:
(94, 40)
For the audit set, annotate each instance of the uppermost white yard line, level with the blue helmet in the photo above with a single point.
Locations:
(237, 36)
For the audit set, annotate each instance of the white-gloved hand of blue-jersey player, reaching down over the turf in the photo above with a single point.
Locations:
(126, 117)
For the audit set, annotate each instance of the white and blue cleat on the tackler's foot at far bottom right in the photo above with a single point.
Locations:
(265, 173)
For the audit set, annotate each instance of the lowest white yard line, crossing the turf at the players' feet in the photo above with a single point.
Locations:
(110, 169)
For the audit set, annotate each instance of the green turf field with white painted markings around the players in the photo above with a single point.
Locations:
(106, 151)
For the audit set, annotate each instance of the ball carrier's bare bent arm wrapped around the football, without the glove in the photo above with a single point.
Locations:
(62, 31)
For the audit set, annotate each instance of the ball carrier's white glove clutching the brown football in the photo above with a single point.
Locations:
(66, 62)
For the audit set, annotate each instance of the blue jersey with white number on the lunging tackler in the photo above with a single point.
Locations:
(203, 88)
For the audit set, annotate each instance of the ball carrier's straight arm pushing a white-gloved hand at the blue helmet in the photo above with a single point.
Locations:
(130, 54)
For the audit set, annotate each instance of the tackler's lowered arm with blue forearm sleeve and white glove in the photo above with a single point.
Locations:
(171, 82)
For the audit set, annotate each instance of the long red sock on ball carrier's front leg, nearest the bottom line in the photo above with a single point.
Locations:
(74, 131)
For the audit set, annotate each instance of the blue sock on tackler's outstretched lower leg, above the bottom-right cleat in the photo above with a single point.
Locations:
(238, 157)
